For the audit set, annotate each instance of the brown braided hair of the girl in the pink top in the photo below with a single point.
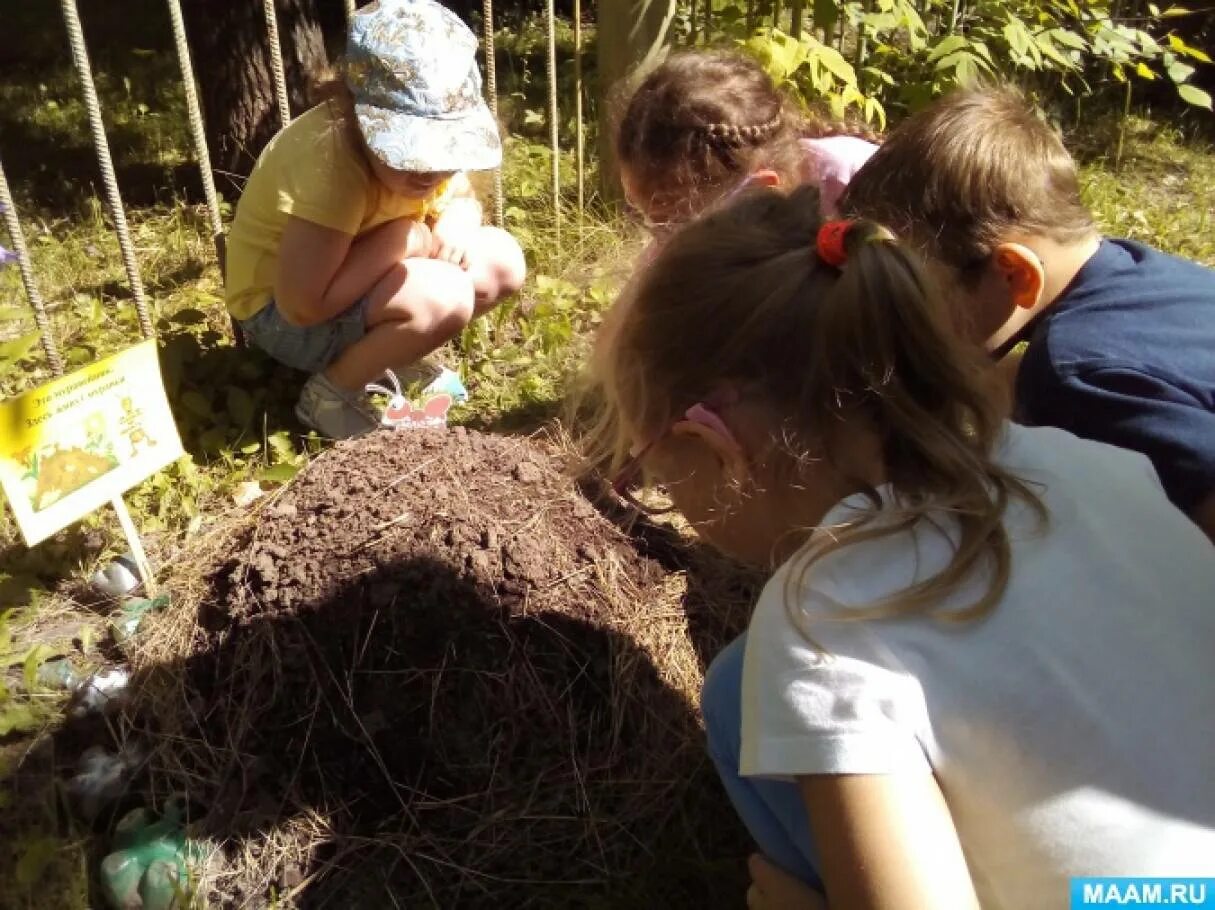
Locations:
(710, 118)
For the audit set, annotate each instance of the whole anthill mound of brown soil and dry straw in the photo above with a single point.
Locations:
(432, 671)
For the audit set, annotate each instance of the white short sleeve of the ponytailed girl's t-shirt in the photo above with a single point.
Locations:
(806, 713)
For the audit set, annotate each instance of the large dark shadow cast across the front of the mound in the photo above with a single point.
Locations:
(465, 754)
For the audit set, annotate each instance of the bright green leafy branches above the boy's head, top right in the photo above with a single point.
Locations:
(864, 56)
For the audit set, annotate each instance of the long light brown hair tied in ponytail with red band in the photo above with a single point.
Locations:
(863, 346)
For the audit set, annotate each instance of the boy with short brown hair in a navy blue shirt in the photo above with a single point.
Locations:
(1122, 337)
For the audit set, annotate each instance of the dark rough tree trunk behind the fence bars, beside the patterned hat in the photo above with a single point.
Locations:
(231, 54)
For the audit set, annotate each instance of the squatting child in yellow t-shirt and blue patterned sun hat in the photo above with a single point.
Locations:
(358, 244)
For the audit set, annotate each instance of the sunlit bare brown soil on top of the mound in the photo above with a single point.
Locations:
(493, 510)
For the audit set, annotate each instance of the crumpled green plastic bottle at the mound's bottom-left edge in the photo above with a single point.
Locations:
(149, 869)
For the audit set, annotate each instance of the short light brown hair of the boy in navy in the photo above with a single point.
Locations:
(964, 173)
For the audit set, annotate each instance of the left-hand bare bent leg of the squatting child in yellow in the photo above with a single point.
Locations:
(416, 308)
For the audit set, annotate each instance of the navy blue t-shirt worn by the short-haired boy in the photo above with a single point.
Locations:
(1127, 357)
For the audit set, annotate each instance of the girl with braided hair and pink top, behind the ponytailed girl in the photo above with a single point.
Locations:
(704, 125)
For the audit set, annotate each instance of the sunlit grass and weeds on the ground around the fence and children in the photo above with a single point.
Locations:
(234, 408)
